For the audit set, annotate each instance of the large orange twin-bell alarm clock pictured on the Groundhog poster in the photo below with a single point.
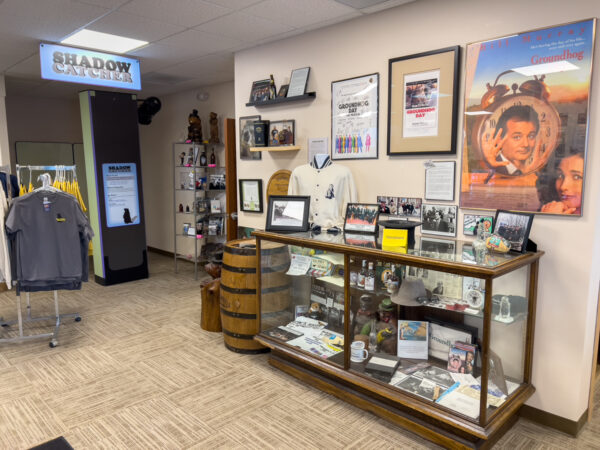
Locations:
(498, 98)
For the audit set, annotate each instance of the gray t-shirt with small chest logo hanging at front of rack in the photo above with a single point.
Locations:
(50, 234)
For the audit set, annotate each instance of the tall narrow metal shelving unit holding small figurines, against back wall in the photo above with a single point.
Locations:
(191, 190)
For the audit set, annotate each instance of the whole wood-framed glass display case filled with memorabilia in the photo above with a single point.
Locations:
(433, 337)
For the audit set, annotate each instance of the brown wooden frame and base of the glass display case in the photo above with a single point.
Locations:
(435, 423)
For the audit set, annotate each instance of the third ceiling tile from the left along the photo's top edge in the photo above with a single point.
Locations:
(299, 14)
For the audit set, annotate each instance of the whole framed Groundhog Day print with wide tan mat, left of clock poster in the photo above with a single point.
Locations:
(423, 102)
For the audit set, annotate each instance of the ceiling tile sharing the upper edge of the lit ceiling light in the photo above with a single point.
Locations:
(136, 27)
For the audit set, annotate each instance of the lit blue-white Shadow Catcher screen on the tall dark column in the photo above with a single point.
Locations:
(121, 194)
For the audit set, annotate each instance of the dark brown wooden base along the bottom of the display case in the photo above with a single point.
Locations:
(418, 422)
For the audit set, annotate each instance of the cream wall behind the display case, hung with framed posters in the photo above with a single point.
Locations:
(569, 272)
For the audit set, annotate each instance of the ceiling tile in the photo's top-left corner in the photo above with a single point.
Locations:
(50, 20)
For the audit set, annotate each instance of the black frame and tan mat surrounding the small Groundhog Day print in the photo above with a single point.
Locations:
(446, 60)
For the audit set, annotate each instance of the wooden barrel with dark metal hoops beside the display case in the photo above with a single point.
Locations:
(239, 303)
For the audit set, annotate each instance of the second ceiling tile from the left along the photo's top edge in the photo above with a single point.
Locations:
(187, 13)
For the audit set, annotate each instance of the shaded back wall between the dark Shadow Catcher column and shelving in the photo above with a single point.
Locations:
(156, 142)
